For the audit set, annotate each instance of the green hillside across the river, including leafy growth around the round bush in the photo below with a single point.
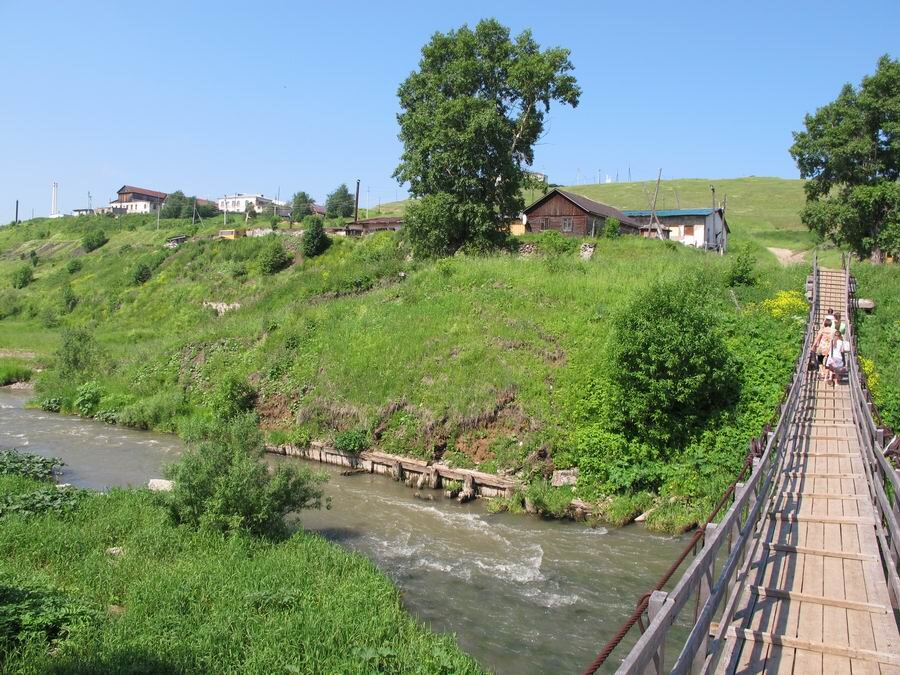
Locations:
(498, 362)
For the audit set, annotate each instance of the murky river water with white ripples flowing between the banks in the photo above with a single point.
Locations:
(522, 594)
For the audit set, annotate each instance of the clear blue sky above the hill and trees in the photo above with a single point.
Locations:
(255, 97)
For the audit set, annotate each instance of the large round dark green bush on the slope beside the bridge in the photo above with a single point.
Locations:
(670, 368)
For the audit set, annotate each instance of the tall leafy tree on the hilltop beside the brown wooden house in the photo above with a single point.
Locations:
(471, 115)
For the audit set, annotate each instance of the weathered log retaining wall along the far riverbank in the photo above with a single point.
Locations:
(414, 472)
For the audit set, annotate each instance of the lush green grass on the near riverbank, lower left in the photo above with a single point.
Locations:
(179, 600)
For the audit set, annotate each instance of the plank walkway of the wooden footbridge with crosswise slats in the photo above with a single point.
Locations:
(816, 599)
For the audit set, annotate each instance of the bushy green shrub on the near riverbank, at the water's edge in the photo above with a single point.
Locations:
(222, 485)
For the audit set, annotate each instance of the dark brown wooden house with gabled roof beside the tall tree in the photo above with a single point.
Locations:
(574, 215)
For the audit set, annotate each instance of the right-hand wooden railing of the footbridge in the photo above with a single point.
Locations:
(884, 482)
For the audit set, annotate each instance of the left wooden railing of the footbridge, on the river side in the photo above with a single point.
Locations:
(710, 593)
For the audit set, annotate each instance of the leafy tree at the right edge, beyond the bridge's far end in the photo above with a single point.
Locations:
(850, 156)
